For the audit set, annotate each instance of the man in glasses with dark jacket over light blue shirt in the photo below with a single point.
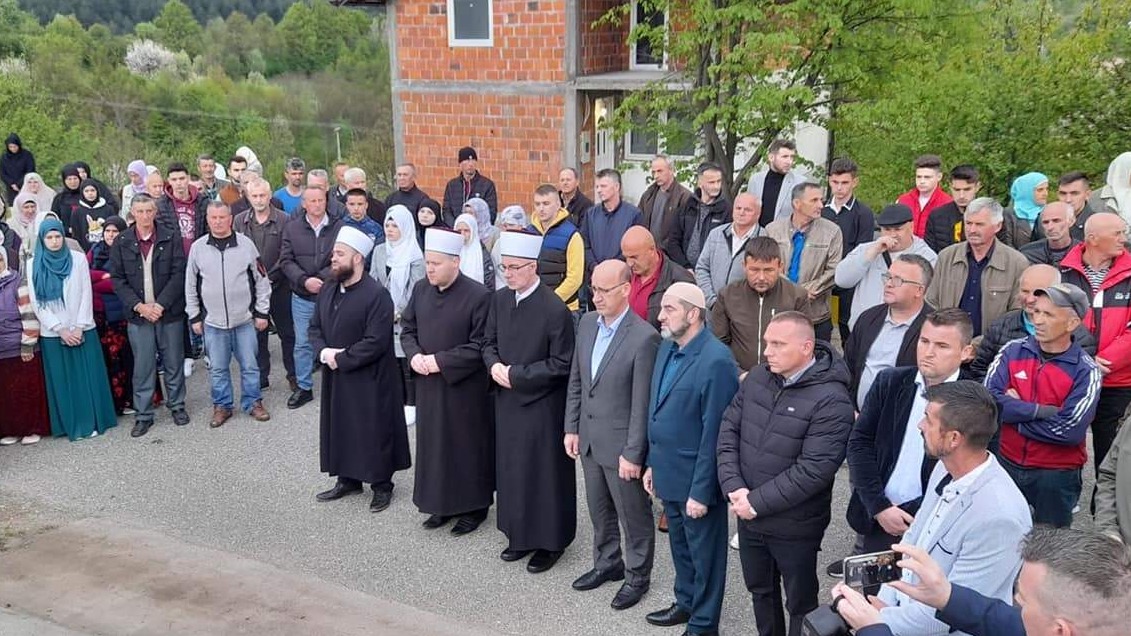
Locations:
(886, 336)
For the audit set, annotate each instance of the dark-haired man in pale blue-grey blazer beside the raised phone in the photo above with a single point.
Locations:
(973, 517)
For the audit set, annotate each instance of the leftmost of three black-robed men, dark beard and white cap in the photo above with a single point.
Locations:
(364, 434)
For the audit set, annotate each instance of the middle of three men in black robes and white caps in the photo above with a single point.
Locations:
(443, 331)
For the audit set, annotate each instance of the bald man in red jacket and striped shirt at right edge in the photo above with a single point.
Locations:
(1102, 268)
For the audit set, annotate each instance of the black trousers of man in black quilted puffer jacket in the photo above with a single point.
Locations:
(771, 564)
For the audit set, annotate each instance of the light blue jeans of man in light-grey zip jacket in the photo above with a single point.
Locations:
(221, 345)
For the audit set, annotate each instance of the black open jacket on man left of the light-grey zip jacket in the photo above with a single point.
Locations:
(127, 273)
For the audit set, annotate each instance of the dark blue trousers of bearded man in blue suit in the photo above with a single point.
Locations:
(700, 555)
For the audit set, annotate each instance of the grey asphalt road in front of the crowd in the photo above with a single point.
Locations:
(248, 489)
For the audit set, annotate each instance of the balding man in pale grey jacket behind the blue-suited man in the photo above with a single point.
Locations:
(722, 262)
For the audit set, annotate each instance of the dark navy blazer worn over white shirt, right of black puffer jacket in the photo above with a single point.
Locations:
(875, 445)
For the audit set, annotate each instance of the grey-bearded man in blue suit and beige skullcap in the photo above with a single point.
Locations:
(694, 382)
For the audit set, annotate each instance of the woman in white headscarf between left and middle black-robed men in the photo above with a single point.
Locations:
(399, 264)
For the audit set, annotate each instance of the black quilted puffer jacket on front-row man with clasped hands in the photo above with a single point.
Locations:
(787, 443)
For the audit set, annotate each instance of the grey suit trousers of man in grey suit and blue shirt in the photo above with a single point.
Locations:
(616, 504)
